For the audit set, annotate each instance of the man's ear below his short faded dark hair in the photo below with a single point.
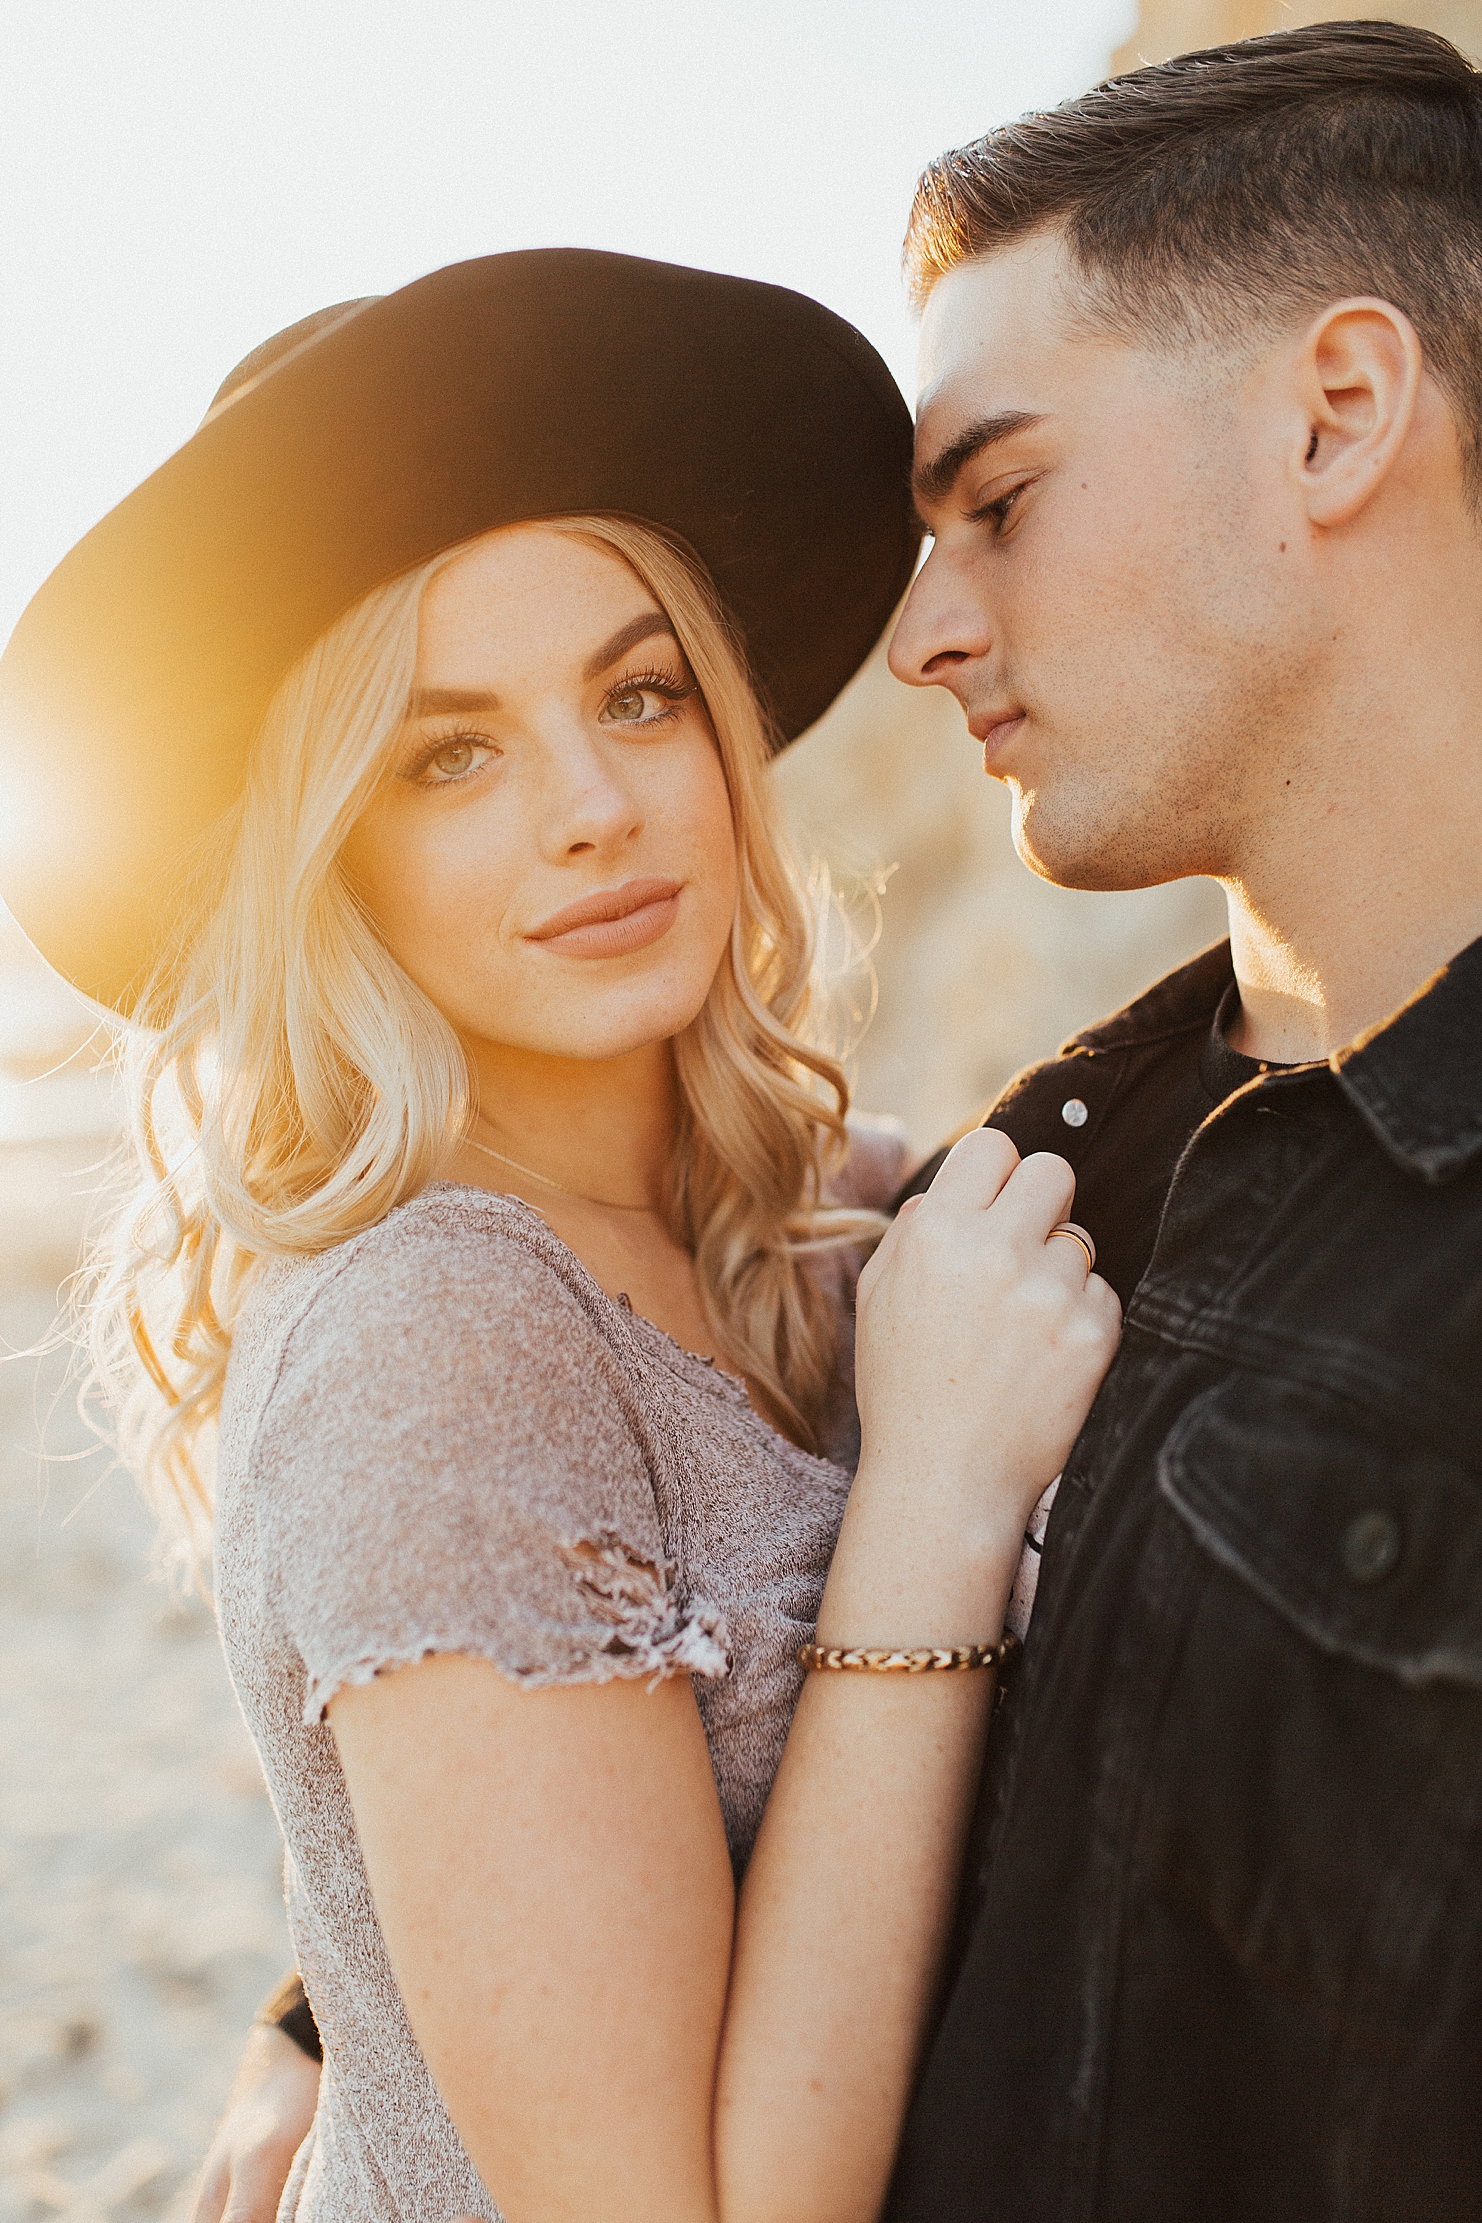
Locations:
(1359, 370)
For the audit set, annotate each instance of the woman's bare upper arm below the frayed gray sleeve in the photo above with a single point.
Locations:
(554, 1888)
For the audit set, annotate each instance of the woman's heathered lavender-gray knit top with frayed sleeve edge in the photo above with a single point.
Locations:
(443, 1437)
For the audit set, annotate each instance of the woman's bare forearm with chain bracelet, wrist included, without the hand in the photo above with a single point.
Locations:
(850, 1891)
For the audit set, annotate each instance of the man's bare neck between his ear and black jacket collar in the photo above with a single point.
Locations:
(1352, 864)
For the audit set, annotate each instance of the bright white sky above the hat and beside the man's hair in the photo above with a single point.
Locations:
(181, 179)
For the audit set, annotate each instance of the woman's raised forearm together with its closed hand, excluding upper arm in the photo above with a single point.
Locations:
(981, 1348)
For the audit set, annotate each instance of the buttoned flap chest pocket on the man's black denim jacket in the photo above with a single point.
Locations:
(1316, 1784)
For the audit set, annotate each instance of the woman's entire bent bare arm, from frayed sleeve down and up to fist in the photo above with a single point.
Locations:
(552, 1873)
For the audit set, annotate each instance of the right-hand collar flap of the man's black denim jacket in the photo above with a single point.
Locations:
(1416, 1077)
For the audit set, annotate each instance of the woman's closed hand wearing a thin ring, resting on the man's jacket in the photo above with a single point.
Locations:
(983, 1339)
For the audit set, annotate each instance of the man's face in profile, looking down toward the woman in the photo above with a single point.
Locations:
(1110, 590)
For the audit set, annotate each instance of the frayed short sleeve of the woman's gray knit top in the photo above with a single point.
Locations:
(452, 1462)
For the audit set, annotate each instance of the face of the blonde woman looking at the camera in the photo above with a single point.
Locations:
(552, 857)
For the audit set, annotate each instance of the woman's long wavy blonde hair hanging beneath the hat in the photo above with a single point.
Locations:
(290, 1086)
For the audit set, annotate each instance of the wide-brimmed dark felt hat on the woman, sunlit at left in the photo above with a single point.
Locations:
(750, 421)
